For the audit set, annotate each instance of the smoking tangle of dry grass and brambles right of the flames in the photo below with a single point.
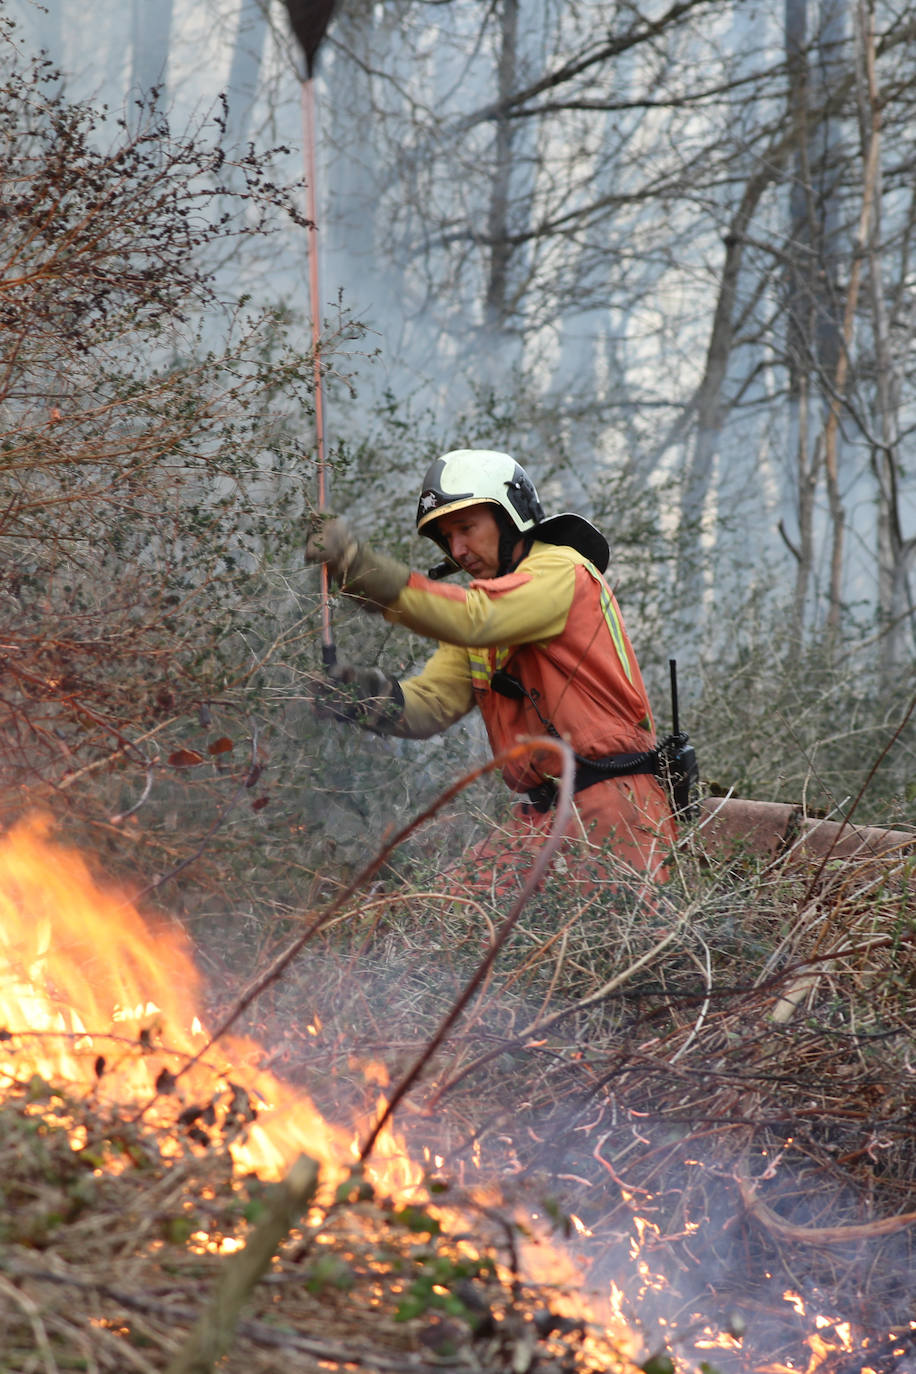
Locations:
(726, 1071)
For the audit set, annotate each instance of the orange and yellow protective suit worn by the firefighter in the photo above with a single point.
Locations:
(556, 626)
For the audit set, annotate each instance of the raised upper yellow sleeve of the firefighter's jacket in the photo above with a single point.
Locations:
(527, 607)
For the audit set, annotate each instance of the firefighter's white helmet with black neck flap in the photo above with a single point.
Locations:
(470, 476)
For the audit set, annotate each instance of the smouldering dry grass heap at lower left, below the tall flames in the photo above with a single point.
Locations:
(111, 1254)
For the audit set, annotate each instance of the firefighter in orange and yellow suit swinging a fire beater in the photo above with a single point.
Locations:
(536, 641)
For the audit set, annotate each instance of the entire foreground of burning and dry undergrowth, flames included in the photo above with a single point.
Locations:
(668, 1171)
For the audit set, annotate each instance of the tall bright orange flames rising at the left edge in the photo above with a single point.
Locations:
(86, 982)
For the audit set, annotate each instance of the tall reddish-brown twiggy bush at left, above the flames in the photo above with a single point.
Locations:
(152, 453)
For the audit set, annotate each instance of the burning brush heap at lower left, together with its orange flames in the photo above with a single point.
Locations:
(138, 1166)
